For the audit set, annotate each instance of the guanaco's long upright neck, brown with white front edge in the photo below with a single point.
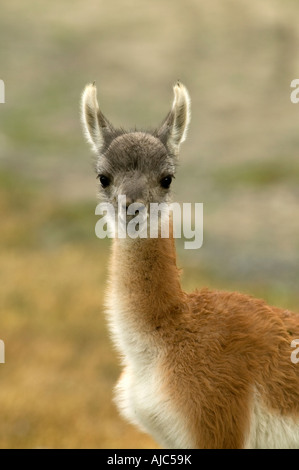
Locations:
(145, 292)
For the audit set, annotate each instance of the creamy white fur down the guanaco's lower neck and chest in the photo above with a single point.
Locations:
(138, 393)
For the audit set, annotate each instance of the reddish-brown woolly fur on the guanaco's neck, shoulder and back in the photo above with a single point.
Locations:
(217, 346)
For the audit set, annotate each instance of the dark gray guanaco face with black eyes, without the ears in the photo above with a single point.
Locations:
(136, 165)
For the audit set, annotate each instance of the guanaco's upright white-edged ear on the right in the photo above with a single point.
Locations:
(173, 130)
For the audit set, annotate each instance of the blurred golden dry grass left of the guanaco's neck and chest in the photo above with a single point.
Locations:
(57, 381)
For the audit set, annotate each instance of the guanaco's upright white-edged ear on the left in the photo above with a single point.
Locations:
(95, 126)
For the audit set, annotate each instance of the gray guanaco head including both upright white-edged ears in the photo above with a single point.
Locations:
(139, 165)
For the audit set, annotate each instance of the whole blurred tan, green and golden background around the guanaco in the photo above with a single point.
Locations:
(237, 58)
